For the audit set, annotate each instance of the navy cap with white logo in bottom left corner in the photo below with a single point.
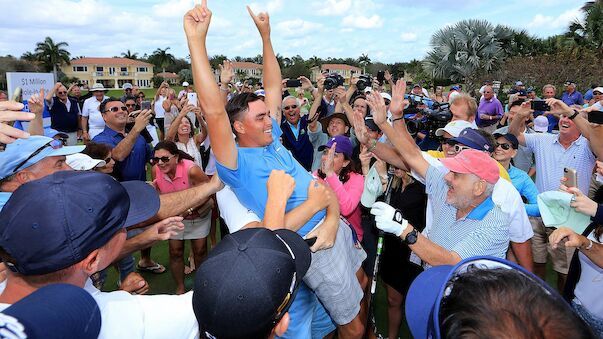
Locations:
(53, 312)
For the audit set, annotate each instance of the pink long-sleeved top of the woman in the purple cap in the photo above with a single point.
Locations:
(348, 195)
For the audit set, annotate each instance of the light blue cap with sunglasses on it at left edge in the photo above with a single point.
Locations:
(27, 152)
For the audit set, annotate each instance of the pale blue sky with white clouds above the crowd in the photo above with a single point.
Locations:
(387, 30)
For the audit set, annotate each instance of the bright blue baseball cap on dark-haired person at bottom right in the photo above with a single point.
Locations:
(427, 291)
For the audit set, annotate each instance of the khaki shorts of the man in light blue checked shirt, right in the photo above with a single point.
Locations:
(541, 248)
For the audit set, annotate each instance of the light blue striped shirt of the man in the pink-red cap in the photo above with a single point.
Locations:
(484, 231)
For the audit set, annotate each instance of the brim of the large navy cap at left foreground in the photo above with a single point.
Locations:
(144, 202)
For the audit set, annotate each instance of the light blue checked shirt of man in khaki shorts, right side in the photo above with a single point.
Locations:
(551, 158)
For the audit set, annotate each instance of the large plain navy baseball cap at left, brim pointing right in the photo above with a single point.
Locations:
(54, 222)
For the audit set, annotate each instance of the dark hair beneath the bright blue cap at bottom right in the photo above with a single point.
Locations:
(503, 303)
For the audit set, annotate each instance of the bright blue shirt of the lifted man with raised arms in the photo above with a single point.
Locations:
(254, 165)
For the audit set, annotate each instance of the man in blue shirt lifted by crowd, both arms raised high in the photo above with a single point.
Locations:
(245, 166)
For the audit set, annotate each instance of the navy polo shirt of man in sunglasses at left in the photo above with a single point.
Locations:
(133, 167)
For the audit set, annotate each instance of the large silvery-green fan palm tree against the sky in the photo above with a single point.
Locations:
(467, 50)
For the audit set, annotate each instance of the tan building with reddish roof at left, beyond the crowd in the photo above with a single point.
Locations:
(111, 72)
